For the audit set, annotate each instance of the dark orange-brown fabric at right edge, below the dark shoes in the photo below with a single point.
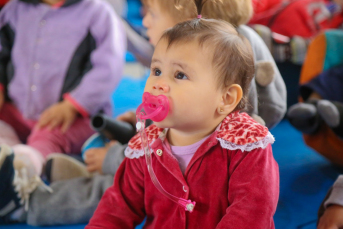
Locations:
(326, 143)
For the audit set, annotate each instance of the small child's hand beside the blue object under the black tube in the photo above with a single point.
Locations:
(94, 157)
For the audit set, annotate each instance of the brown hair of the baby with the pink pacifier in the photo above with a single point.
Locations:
(232, 55)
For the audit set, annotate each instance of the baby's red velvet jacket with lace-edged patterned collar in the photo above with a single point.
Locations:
(232, 177)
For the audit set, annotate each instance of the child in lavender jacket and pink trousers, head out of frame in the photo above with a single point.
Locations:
(60, 62)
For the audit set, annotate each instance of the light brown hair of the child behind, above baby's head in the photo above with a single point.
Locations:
(236, 12)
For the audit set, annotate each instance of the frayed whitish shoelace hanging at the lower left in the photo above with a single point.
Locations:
(25, 185)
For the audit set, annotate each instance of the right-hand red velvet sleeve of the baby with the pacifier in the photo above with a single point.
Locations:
(253, 190)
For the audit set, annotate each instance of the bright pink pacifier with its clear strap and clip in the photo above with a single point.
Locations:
(156, 108)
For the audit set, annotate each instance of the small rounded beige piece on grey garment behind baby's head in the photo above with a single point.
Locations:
(264, 73)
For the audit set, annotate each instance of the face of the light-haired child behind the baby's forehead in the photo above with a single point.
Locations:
(156, 21)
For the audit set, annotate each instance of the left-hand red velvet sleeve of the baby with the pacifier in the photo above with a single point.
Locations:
(122, 205)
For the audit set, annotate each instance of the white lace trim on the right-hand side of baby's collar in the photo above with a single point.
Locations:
(269, 139)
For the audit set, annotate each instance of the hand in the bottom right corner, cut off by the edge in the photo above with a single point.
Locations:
(332, 218)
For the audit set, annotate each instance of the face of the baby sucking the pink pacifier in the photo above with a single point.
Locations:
(184, 74)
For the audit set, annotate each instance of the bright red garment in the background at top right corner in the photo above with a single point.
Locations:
(305, 18)
